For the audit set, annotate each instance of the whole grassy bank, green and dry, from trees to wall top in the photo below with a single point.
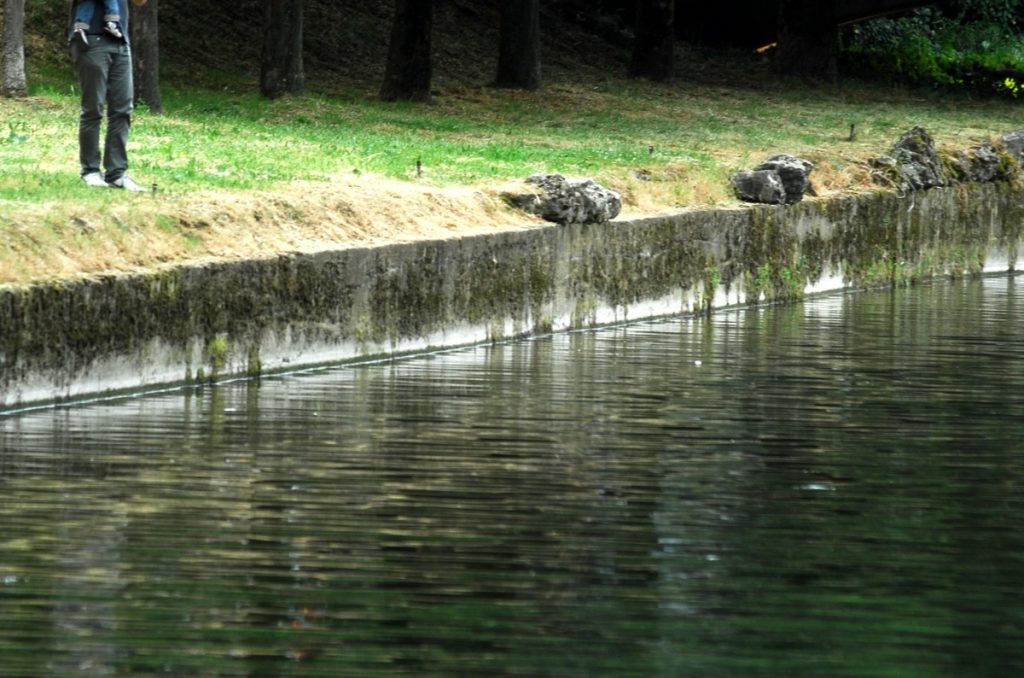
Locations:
(240, 177)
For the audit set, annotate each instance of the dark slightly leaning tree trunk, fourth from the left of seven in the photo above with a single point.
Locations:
(409, 61)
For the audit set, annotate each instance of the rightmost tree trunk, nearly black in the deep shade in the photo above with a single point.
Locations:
(808, 39)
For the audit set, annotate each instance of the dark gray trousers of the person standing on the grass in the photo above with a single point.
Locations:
(104, 70)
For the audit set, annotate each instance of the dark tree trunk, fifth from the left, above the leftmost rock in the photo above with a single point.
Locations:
(520, 54)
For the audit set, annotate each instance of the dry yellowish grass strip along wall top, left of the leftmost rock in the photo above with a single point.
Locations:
(135, 232)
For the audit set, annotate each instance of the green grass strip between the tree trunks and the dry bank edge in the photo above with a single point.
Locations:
(231, 140)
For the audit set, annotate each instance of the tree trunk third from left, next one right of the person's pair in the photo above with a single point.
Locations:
(282, 71)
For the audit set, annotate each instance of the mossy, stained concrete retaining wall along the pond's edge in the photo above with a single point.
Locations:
(68, 341)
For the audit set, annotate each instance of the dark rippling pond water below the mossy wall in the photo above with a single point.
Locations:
(832, 488)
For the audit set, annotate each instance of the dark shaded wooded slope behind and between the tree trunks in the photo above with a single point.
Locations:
(958, 44)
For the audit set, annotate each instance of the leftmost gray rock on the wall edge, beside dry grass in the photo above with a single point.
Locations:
(564, 201)
